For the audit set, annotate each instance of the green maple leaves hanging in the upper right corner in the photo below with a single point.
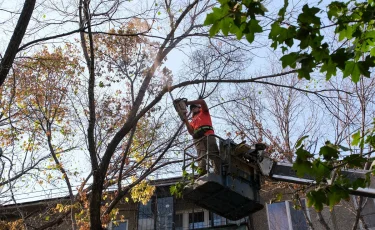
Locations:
(301, 39)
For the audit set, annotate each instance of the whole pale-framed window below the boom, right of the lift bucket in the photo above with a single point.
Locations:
(282, 215)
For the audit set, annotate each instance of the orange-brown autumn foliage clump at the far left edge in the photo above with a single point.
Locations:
(37, 94)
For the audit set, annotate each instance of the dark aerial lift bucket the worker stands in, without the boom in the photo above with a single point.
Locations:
(233, 193)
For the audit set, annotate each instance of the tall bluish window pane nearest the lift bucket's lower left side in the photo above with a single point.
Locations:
(164, 213)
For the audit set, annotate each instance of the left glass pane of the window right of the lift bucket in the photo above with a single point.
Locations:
(277, 216)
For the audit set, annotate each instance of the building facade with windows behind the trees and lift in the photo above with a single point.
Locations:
(165, 212)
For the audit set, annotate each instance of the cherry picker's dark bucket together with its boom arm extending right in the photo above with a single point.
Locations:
(234, 192)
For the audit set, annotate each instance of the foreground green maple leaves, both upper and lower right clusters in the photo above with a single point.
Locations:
(306, 48)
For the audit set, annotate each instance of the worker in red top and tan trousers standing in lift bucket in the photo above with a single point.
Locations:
(201, 128)
